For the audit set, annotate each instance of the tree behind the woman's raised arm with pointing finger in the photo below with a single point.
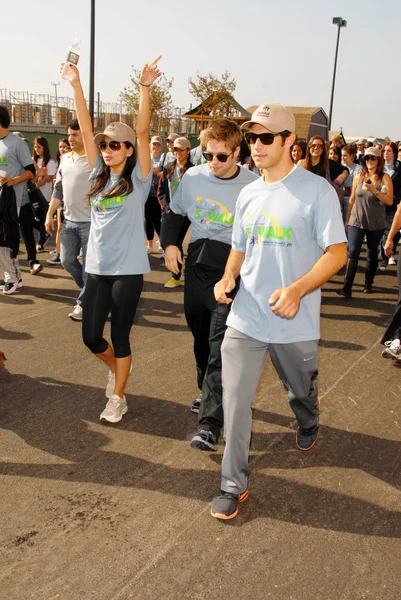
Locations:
(161, 106)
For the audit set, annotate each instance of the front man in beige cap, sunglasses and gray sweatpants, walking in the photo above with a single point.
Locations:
(288, 239)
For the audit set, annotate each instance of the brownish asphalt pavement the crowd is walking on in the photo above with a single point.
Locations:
(114, 512)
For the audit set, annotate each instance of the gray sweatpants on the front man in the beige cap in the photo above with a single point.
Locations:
(242, 363)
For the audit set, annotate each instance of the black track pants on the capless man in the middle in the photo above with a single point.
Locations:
(207, 321)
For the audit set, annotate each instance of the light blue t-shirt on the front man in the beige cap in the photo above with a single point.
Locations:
(283, 228)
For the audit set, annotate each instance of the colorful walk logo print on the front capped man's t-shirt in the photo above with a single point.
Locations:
(263, 229)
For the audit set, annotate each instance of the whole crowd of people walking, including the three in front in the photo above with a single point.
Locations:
(270, 219)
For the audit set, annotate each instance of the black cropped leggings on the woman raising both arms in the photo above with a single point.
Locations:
(118, 294)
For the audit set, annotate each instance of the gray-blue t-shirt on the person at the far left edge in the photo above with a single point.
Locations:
(14, 157)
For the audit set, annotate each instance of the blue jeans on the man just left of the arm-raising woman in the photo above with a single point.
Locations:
(74, 236)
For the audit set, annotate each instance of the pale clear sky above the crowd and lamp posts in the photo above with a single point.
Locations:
(280, 50)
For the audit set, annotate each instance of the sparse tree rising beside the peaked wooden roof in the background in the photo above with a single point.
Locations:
(215, 92)
